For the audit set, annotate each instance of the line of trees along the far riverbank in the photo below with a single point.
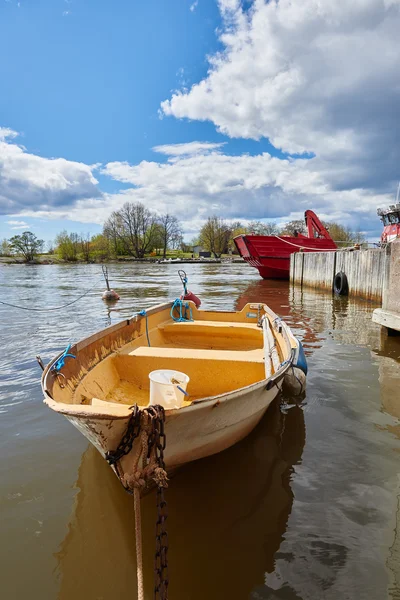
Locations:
(136, 231)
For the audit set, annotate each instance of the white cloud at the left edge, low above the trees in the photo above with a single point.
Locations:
(28, 181)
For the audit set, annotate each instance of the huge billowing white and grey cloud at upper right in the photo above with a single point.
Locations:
(314, 76)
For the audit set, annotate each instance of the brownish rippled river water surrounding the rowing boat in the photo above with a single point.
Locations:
(307, 507)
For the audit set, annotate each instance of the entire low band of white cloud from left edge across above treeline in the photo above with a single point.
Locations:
(199, 179)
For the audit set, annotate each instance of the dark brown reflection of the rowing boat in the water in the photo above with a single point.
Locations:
(227, 518)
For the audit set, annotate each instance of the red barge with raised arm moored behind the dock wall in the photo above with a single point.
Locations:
(270, 254)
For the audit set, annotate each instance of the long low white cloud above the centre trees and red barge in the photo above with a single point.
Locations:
(252, 187)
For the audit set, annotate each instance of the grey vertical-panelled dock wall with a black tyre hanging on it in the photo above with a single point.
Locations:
(366, 270)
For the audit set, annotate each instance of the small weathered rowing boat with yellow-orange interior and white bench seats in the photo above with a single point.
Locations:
(236, 362)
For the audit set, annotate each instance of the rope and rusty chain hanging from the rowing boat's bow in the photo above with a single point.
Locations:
(147, 427)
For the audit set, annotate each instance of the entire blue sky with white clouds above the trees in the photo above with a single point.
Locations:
(300, 122)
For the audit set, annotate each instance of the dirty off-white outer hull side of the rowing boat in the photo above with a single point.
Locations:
(193, 432)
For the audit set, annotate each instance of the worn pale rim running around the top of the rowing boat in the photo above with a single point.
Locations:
(89, 411)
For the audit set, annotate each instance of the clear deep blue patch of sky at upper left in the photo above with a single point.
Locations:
(87, 85)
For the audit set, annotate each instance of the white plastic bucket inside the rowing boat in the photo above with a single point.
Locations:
(163, 391)
